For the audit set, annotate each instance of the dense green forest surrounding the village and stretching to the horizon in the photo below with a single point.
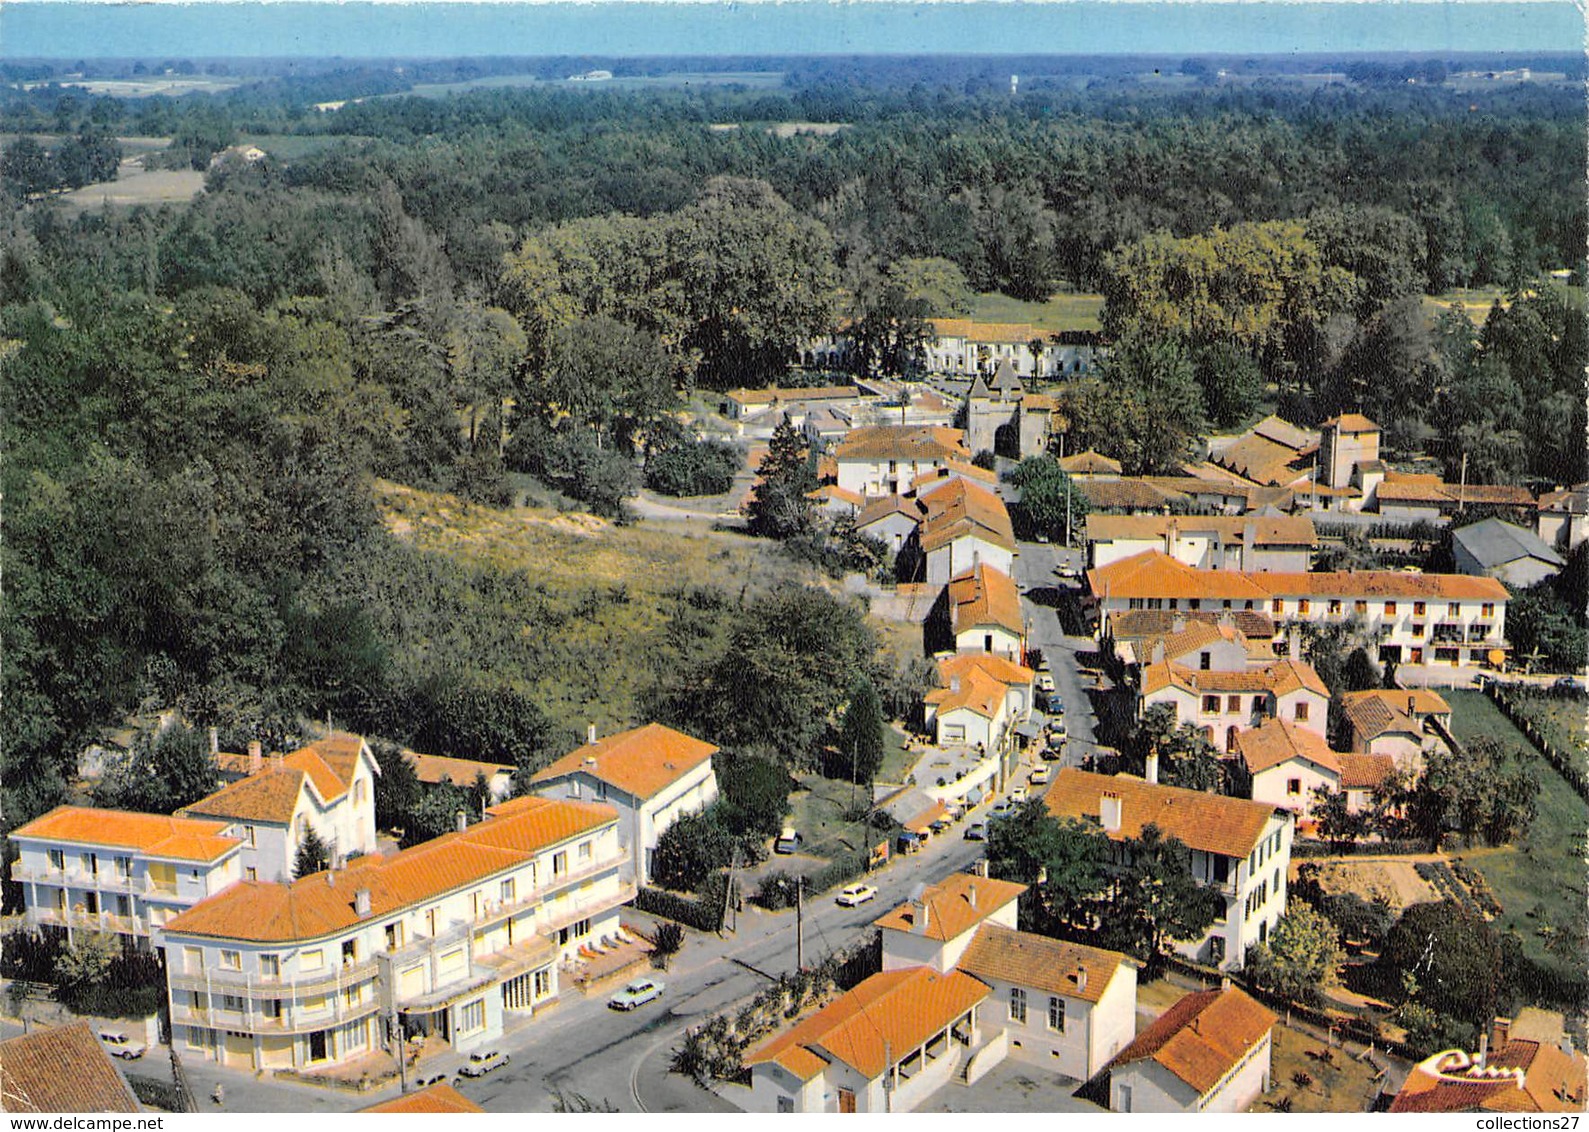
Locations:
(447, 292)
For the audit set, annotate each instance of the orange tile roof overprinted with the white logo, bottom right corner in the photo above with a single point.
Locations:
(1542, 1079)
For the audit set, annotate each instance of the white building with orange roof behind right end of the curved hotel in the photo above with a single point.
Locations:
(651, 775)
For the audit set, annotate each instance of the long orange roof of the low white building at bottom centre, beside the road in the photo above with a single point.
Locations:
(884, 1018)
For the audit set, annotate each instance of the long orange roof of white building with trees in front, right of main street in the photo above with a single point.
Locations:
(1202, 821)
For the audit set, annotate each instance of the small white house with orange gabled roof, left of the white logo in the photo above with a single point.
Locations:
(1210, 1053)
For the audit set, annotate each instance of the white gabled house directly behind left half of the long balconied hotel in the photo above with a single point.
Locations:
(328, 786)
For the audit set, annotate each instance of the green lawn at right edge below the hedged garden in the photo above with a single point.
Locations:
(1541, 883)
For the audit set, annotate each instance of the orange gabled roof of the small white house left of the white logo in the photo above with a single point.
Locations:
(1202, 1037)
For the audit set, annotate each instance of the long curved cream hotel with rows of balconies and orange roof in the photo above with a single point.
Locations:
(449, 936)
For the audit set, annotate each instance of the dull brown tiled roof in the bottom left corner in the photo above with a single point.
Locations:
(61, 1071)
